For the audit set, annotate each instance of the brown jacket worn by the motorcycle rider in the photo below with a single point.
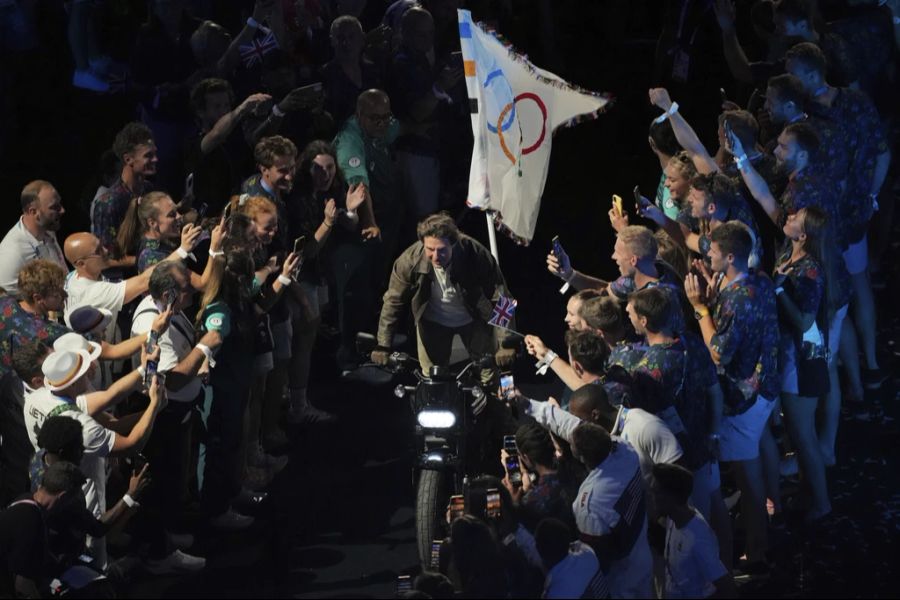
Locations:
(471, 267)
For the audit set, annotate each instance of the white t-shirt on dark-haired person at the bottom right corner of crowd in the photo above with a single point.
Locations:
(692, 559)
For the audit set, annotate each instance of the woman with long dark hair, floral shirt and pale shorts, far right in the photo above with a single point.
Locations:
(802, 290)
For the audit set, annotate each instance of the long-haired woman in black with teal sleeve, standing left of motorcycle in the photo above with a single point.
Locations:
(229, 306)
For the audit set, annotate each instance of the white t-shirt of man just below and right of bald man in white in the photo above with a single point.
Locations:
(173, 343)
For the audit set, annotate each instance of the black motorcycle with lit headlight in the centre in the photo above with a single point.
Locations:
(446, 407)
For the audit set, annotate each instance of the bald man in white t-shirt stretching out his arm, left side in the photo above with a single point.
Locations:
(86, 287)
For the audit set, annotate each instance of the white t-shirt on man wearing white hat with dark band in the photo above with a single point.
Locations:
(98, 440)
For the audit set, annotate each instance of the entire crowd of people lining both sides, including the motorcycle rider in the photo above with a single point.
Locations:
(151, 363)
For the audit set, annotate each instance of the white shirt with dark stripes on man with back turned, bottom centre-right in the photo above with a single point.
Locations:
(617, 481)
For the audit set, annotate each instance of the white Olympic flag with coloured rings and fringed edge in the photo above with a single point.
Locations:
(515, 109)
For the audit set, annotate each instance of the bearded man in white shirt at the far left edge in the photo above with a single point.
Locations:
(34, 235)
